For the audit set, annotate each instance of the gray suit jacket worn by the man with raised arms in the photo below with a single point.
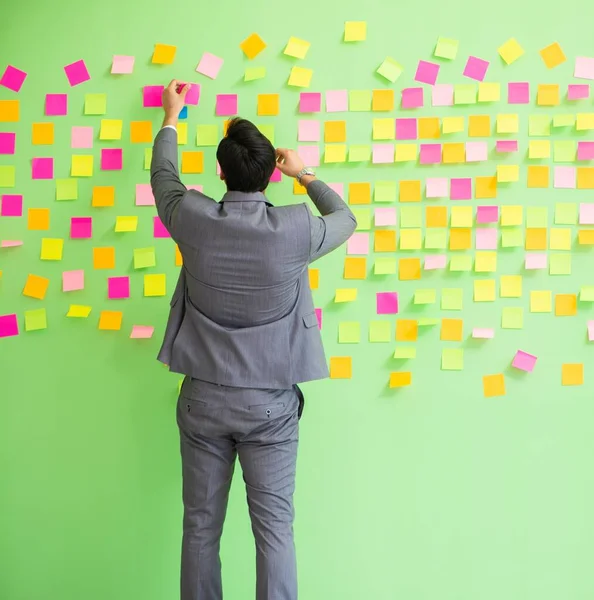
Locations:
(242, 313)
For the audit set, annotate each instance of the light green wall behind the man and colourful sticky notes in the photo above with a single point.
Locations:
(432, 491)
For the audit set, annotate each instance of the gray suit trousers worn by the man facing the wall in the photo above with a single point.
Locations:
(216, 424)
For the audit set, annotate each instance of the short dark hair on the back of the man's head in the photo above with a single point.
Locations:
(246, 157)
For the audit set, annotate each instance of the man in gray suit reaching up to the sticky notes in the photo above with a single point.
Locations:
(243, 330)
